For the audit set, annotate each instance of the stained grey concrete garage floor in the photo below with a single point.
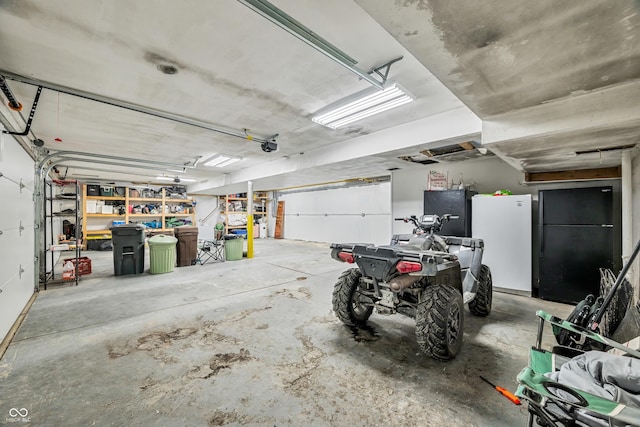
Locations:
(251, 342)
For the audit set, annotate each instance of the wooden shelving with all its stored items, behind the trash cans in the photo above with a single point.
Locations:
(158, 210)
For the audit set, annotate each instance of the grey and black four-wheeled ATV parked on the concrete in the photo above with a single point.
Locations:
(421, 275)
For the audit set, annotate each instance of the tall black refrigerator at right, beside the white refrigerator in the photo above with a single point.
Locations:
(577, 238)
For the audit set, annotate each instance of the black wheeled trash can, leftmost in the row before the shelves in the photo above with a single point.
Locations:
(128, 249)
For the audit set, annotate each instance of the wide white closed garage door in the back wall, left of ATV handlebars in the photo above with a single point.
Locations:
(350, 214)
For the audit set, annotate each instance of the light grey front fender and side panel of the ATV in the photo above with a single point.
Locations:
(469, 251)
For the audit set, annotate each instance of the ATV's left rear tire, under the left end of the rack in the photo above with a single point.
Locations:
(347, 302)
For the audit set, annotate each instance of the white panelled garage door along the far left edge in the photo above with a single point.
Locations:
(17, 257)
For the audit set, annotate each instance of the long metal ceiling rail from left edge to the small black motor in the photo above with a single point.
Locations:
(130, 106)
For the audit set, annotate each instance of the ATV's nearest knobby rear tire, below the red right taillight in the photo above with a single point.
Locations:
(440, 322)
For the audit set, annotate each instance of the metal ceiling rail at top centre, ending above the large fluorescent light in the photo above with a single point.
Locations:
(293, 27)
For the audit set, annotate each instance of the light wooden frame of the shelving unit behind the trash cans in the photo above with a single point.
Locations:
(165, 203)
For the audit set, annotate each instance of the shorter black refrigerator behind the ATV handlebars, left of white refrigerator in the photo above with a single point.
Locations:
(454, 202)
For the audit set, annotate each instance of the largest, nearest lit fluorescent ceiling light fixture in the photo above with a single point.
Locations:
(363, 104)
